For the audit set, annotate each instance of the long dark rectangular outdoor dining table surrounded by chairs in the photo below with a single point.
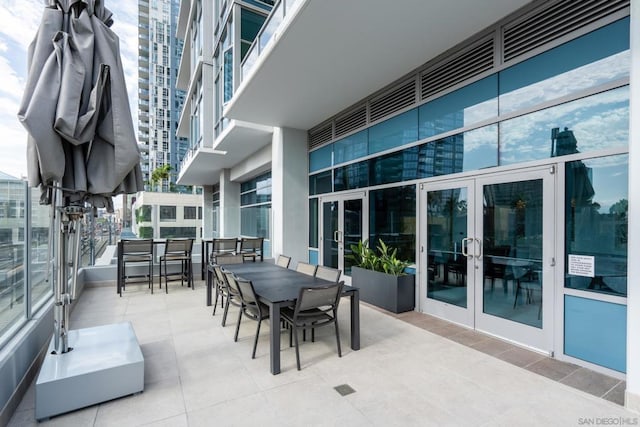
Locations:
(279, 287)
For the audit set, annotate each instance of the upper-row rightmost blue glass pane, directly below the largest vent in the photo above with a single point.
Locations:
(595, 58)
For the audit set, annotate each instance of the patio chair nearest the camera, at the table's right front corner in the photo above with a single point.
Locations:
(315, 307)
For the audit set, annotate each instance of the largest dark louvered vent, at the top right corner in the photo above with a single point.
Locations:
(552, 22)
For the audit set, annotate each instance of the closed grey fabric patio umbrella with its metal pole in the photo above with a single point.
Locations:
(81, 143)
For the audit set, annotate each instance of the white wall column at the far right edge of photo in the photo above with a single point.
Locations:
(632, 395)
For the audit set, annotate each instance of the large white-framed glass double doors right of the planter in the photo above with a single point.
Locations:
(486, 254)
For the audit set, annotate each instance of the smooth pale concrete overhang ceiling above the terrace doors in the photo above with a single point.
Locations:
(333, 53)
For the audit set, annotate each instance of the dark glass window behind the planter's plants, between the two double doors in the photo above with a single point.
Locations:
(392, 219)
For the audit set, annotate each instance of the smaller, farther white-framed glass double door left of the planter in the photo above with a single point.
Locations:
(343, 224)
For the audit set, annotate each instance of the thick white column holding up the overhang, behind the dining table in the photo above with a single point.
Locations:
(290, 194)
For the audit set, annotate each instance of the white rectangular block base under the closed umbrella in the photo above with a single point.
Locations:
(106, 363)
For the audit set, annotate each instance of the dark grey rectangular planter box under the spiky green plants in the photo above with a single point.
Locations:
(392, 293)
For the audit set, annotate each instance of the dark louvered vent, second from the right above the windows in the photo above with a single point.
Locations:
(468, 64)
